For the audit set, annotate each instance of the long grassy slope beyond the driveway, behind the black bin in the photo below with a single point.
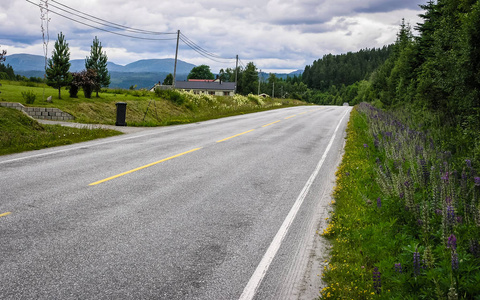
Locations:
(164, 108)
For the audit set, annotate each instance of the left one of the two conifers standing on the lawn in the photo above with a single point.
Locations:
(58, 74)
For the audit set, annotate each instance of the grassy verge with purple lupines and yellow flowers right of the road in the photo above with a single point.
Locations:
(406, 223)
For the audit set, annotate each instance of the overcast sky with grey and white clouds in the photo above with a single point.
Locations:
(277, 35)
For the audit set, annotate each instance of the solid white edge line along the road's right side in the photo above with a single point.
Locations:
(262, 268)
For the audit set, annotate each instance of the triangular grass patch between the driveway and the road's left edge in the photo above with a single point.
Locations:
(20, 133)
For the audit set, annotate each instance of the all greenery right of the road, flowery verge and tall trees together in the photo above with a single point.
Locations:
(406, 223)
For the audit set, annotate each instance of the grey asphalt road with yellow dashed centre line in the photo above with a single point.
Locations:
(223, 209)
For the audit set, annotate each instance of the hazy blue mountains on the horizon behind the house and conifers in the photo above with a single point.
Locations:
(143, 73)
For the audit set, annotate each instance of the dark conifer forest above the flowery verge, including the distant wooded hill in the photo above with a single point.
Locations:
(434, 74)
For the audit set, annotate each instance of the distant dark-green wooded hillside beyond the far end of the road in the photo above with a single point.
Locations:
(344, 69)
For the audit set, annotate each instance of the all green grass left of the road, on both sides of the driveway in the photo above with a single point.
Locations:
(20, 133)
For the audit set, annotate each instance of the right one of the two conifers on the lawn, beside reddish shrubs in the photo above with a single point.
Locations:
(98, 62)
